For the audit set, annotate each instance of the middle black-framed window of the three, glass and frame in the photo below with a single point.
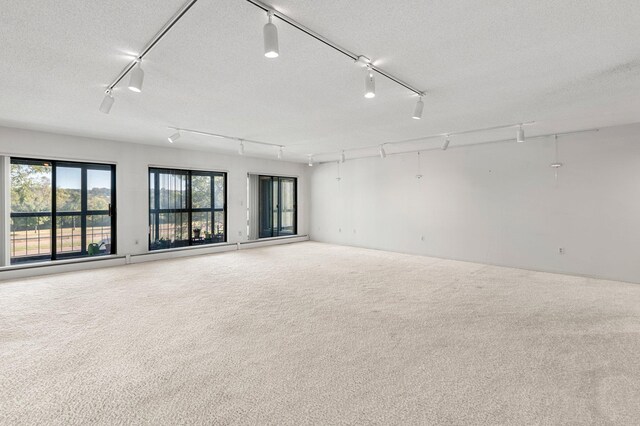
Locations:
(186, 208)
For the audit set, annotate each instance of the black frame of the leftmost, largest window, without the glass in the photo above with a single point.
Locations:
(84, 212)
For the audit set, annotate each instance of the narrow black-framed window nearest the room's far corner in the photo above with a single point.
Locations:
(277, 206)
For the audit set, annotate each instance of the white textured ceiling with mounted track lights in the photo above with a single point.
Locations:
(564, 64)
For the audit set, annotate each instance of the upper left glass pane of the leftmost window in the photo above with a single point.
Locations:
(30, 188)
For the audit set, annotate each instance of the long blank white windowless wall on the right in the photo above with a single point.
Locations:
(497, 204)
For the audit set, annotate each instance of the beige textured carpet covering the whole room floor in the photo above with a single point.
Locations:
(312, 333)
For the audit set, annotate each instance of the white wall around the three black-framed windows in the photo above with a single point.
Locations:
(132, 164)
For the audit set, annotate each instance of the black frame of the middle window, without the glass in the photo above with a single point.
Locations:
(156, 211)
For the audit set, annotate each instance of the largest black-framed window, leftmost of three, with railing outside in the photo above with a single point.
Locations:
(61, 209)
